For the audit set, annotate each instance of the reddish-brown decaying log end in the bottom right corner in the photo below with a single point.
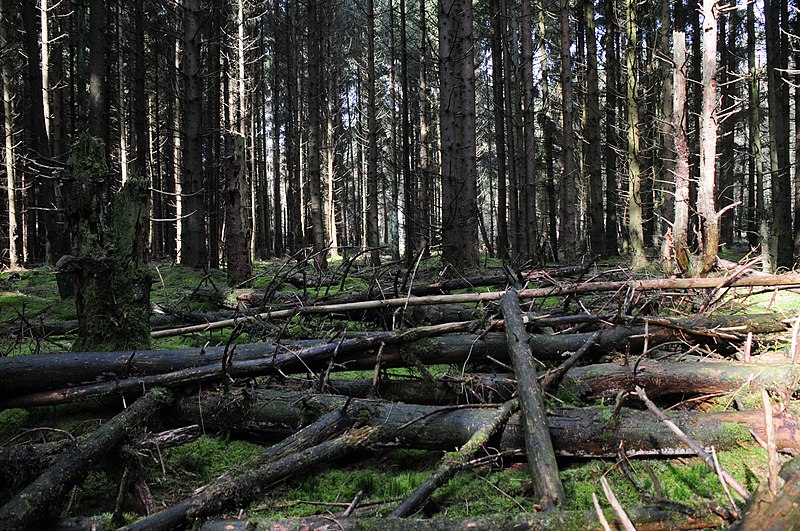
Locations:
(769, 511)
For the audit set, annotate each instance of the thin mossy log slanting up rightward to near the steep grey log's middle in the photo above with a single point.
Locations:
(453, 463)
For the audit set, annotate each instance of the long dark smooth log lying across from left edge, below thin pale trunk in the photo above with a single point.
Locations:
(29, 374)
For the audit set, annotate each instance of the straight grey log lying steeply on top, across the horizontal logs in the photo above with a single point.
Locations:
(539, 449)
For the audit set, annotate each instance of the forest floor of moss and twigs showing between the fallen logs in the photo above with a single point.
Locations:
(383, 476)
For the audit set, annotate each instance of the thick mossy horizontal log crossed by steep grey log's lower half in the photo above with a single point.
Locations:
(586, 432)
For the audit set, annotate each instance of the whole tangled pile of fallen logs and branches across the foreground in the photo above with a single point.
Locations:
(503, 371)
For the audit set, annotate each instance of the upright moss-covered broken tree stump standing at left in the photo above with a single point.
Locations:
(108, 266)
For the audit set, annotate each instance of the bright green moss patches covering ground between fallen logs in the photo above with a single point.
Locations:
(383, 477)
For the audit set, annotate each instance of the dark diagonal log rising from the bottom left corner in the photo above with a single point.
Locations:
(44, 495)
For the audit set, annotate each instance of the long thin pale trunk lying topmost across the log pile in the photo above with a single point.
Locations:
(792, 279)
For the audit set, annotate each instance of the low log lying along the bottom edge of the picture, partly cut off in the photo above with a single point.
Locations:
(659, 518)
